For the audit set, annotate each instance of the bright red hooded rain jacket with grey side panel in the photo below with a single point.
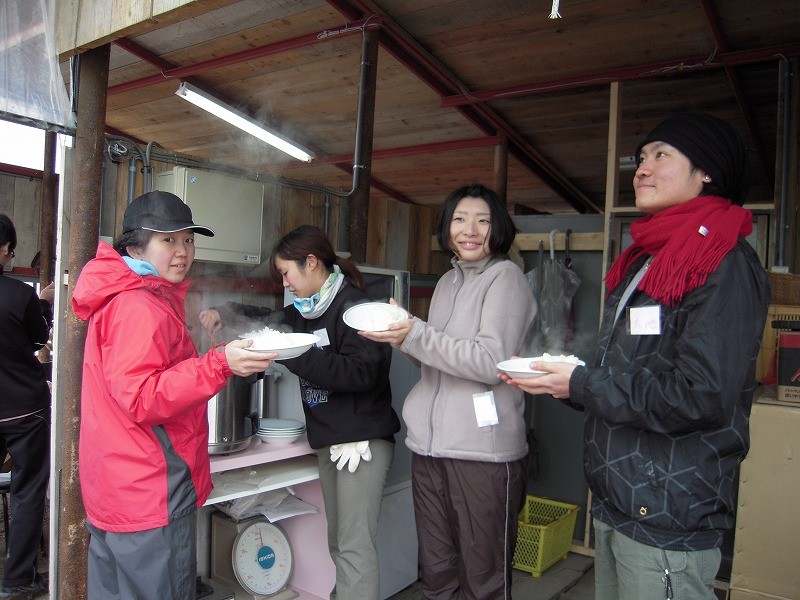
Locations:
(143, 455)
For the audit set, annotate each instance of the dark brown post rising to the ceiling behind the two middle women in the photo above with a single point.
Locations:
(359, 200)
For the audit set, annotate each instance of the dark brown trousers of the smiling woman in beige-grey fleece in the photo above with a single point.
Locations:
(466, 514)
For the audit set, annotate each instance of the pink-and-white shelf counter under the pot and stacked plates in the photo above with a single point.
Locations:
(275, 467)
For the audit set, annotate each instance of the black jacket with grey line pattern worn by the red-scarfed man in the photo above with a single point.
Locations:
(666, 416)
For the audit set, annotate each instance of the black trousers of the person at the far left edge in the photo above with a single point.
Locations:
(27, 440)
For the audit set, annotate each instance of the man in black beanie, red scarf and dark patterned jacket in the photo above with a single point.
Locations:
(667, 400)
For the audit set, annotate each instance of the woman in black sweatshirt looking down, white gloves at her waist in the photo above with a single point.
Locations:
(347, 401)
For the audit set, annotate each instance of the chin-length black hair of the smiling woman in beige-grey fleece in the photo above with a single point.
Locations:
(502, 231)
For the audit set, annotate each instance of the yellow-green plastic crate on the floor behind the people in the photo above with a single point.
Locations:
(545, 534)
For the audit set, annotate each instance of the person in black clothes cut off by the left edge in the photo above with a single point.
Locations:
(25, 322)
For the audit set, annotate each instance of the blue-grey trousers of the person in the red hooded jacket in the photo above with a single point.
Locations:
(157, 563)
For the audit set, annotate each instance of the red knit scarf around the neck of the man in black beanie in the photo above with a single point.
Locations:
(683, 256)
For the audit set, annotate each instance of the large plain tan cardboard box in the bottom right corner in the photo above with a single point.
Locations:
(768, 513)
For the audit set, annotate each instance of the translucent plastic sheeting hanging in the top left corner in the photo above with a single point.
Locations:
(32, 89)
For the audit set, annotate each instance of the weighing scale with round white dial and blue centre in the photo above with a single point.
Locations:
(253, 556)
